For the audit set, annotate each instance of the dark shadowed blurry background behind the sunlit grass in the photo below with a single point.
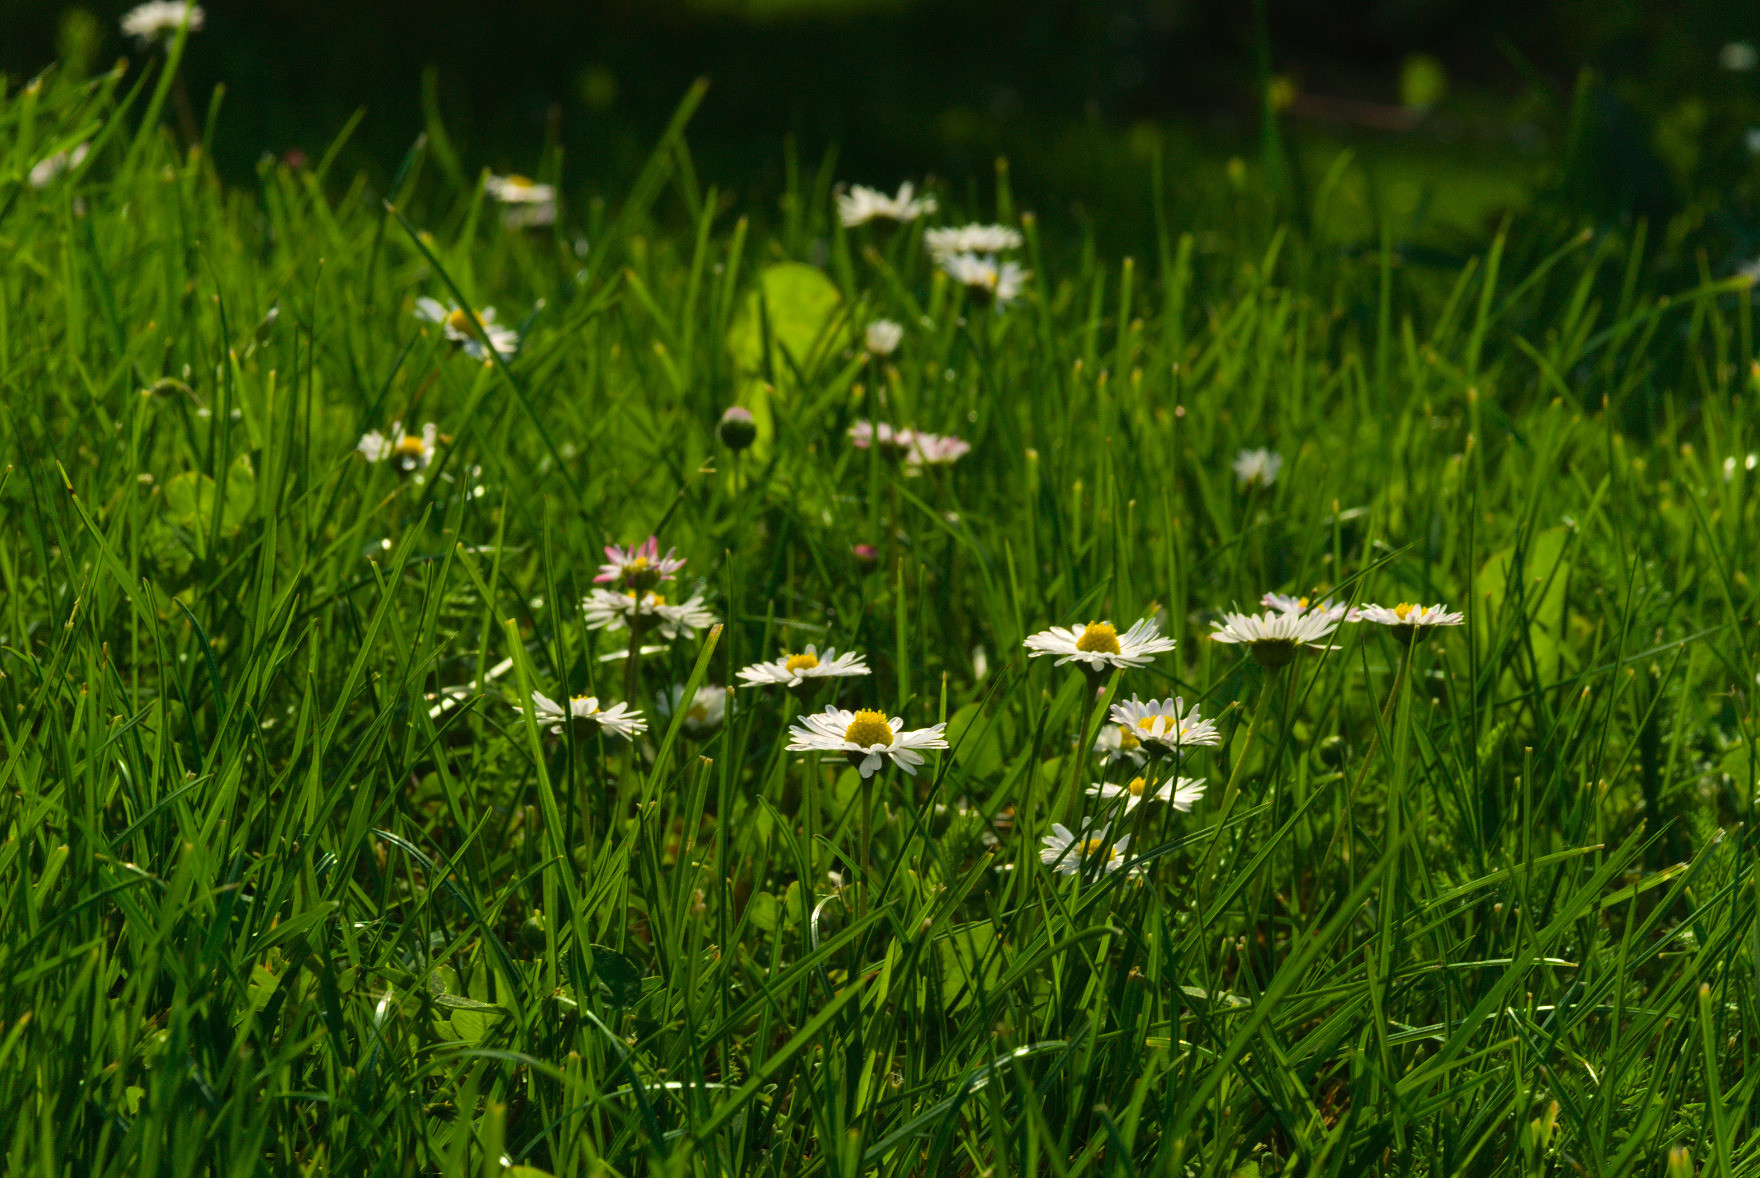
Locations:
(1455, 112)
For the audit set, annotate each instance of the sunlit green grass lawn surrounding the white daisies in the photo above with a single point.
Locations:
(1478, 906)
